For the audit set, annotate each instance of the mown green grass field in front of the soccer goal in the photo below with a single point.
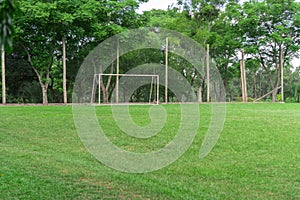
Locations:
(256, 157)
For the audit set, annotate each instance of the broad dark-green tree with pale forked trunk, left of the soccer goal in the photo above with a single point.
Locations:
(46, 25)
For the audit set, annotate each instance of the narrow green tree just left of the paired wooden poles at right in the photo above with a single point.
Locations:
(226, 41)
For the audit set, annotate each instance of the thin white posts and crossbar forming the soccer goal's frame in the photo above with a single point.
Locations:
(97, 79)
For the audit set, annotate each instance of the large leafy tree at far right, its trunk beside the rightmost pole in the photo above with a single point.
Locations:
(269, 26)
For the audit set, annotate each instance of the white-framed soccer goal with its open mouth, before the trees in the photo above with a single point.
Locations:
(125, 88)
